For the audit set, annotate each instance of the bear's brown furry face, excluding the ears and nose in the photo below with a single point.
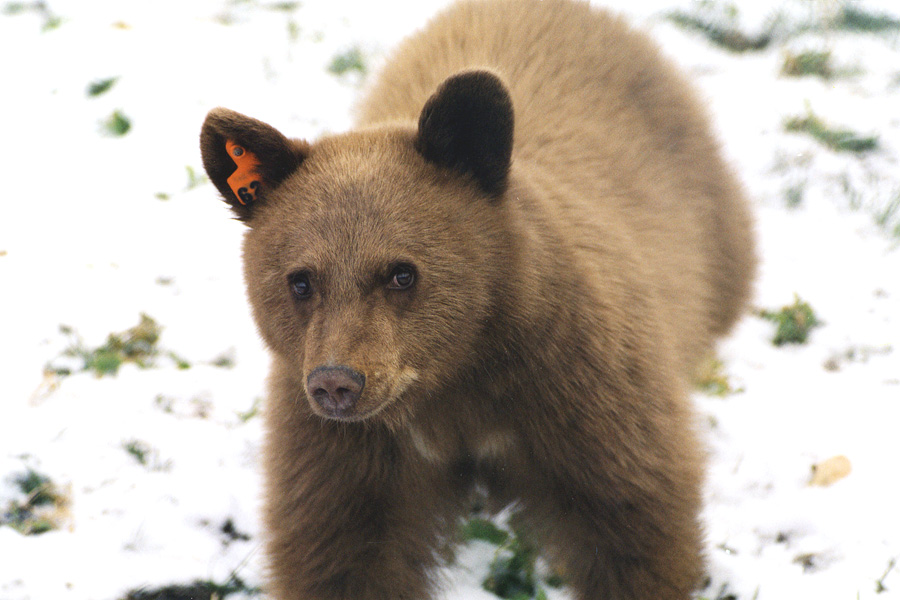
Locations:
(345, 271)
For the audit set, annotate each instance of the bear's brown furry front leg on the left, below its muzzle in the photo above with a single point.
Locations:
(340, 518)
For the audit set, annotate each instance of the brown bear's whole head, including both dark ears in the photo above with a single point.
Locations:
(374, 259)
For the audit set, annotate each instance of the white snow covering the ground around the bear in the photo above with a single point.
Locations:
(96, 229)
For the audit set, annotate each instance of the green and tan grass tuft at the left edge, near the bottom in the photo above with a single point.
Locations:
(42, 503)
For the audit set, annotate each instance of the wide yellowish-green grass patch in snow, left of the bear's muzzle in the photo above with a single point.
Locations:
(138, 345)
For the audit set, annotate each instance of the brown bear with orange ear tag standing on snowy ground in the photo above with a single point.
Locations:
(499, 280)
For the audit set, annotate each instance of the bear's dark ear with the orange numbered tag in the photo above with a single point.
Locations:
(245, 158)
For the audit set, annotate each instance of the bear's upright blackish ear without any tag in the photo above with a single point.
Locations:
(467, 125)
